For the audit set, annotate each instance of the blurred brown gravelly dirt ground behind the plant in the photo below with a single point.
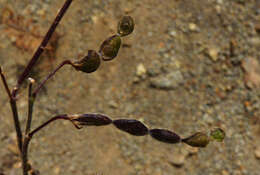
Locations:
(189, 66)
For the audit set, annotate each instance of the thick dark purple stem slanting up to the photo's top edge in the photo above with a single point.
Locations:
(42, 46)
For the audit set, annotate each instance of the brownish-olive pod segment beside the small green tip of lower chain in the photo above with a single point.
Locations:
(198, 139)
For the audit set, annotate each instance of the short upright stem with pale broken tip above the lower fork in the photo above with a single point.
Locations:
(31, 100)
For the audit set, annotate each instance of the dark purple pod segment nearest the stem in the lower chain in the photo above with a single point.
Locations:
(91, 119)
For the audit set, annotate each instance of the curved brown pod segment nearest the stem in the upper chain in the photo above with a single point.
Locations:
(89, 63)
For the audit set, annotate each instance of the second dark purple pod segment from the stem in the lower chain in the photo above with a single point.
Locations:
(133, 127)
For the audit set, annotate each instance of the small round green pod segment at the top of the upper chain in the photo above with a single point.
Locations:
(125, 26)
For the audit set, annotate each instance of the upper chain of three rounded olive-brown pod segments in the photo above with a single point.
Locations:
(108, 49)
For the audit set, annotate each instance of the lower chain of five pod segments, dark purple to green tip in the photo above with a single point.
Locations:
(137, 128)
